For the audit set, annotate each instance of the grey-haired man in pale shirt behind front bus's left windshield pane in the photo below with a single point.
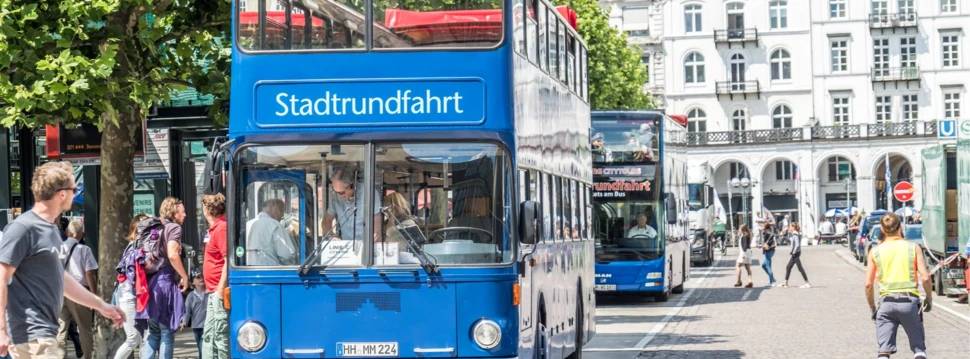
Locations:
(269, 244)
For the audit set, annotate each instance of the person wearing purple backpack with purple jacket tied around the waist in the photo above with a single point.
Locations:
(161, 240)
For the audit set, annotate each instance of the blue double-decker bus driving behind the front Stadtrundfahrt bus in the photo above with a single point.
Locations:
(640, 201)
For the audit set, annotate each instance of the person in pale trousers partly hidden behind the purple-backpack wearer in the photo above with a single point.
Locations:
(126, 290)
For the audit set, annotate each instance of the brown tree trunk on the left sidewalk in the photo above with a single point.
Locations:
(117, 199)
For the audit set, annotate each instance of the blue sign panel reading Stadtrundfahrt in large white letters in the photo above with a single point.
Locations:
(370, 103)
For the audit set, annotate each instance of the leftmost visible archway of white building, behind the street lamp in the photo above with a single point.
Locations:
(736, 200)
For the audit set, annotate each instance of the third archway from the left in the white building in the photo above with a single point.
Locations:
(837, 187)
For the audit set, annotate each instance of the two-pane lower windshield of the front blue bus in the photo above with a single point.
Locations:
(446, 203)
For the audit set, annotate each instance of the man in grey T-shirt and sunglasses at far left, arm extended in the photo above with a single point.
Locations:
(33, 282)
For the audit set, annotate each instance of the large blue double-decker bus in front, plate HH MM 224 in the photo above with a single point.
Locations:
(408, 181)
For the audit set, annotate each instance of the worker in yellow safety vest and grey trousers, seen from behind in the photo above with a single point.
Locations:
(898, 264)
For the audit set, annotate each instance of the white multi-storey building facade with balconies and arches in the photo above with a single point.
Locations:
(809, 99)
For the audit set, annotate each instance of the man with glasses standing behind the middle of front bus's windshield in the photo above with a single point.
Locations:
(347, 208)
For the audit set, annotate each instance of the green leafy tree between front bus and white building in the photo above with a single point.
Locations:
(616, 74)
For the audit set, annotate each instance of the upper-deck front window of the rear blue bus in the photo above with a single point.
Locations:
(625, 140)
